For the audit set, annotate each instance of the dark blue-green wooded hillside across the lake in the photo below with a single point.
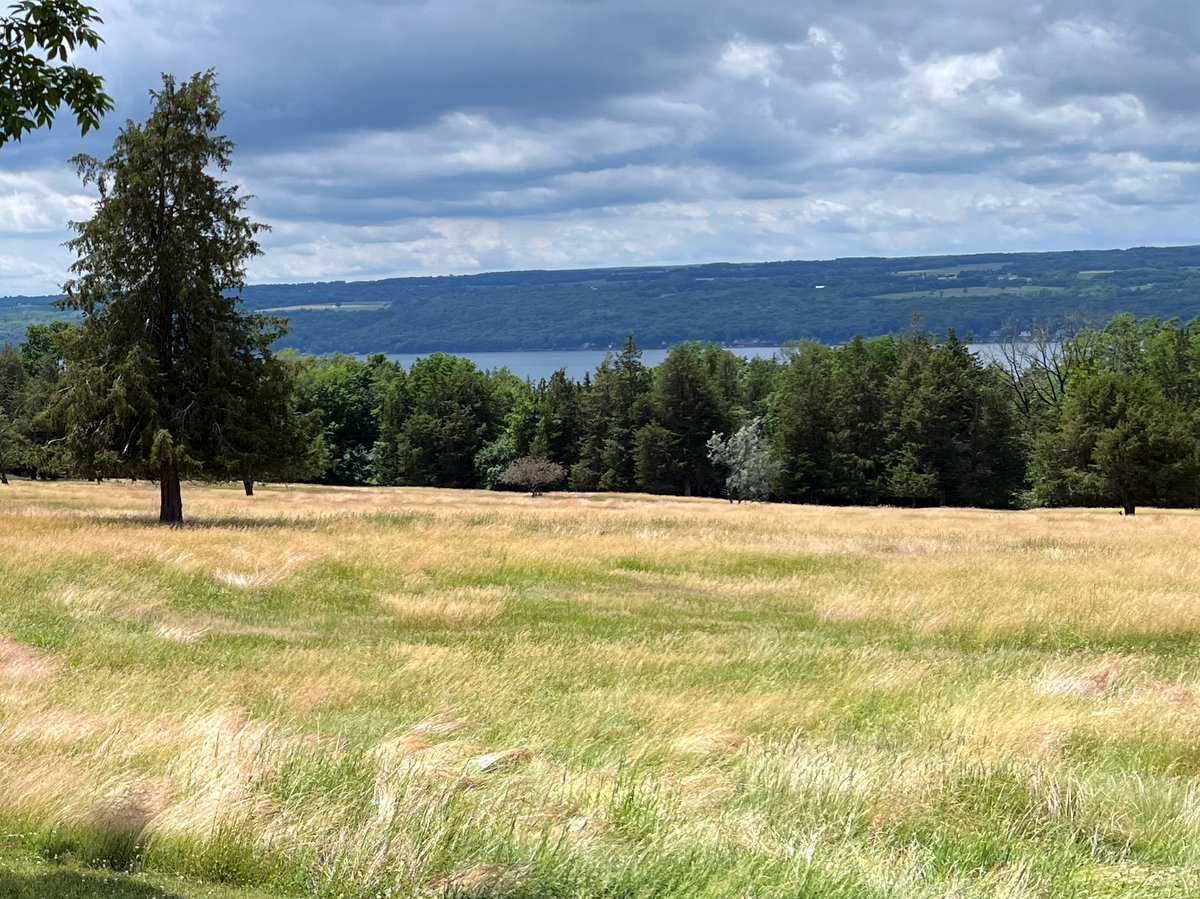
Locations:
(736, 304)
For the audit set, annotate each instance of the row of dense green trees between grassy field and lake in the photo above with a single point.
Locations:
(1107, 416)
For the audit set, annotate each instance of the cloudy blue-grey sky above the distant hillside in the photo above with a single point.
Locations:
(431, 137)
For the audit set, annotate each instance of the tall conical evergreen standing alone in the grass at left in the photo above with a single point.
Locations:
(165, 352)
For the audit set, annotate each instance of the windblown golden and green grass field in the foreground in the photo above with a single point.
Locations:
(381, 693)
